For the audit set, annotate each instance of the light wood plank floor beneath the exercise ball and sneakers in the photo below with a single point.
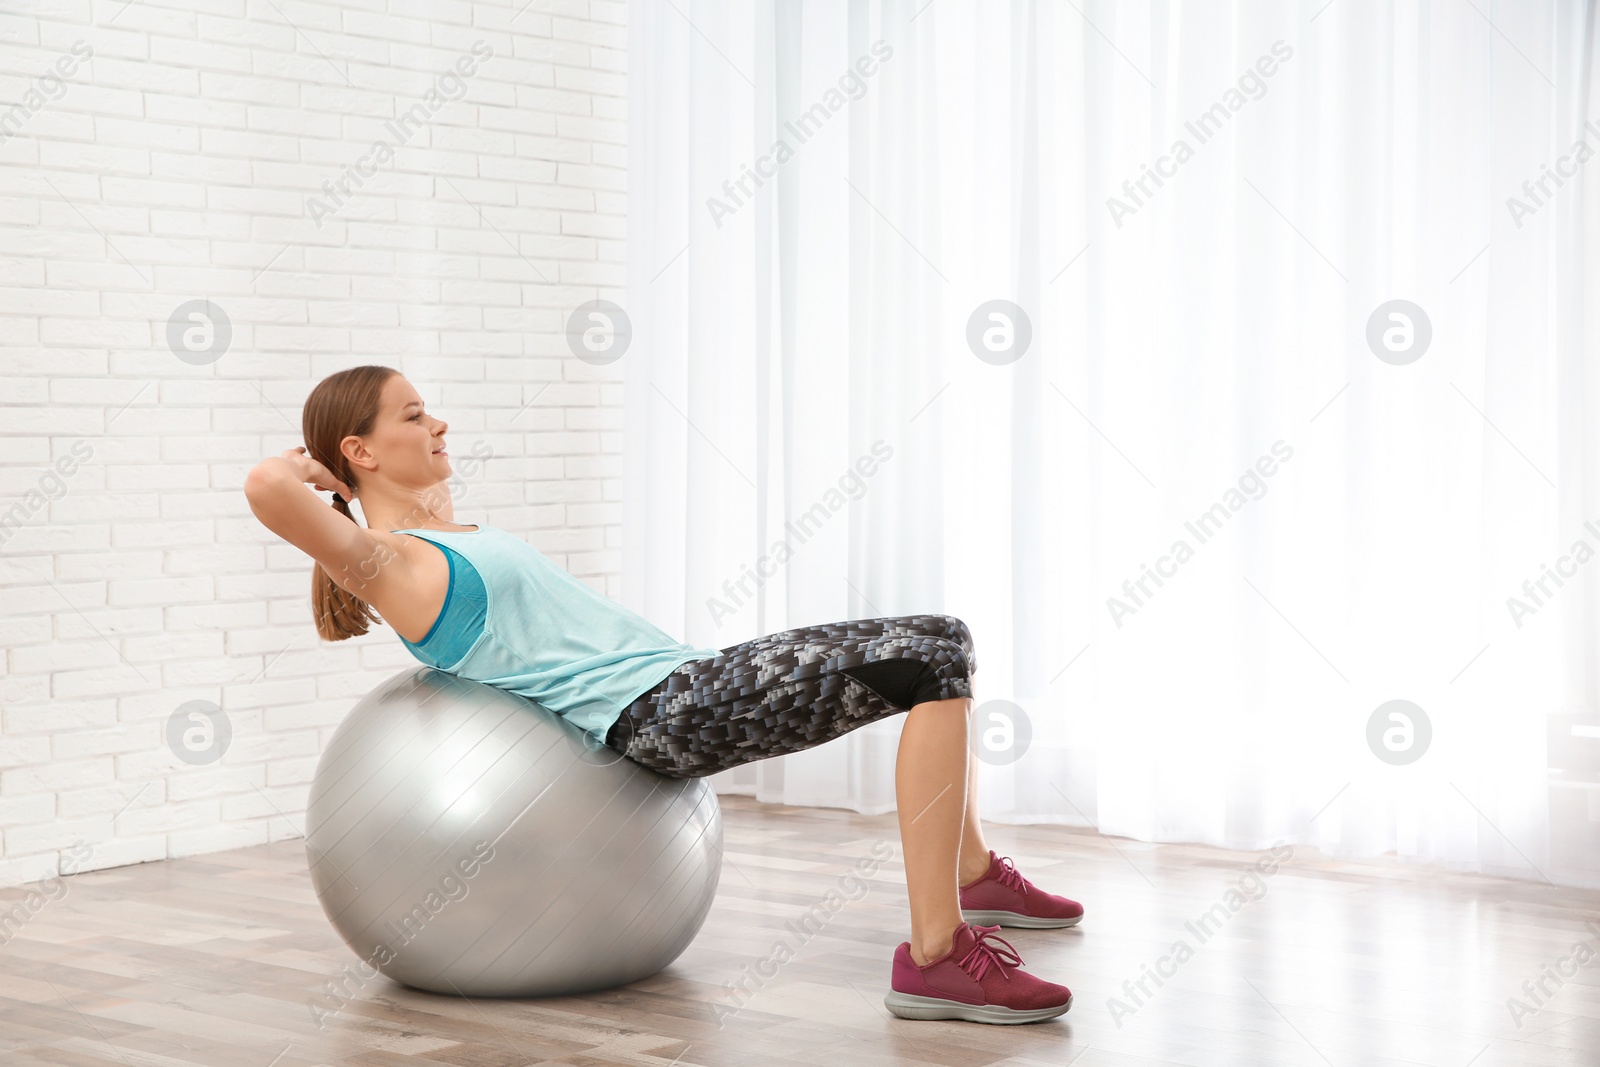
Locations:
(212, 961)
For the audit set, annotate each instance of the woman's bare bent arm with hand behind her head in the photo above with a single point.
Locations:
(346, 551)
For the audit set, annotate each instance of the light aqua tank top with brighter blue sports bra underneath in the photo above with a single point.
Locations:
(518, 621)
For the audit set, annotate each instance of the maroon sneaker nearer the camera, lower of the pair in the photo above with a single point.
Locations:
(975, 981)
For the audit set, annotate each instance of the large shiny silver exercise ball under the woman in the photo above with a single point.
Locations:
(468, 841)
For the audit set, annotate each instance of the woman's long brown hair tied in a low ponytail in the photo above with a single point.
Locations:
(342, 406)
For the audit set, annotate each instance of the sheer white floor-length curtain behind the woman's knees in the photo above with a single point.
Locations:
(1287, 410)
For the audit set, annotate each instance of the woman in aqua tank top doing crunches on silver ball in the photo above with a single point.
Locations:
(484, 604)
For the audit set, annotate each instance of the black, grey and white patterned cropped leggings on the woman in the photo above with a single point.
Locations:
(794, 690)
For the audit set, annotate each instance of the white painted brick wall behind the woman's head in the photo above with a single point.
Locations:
(175, 164)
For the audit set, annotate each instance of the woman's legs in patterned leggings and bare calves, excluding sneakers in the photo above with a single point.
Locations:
(799, 689)
